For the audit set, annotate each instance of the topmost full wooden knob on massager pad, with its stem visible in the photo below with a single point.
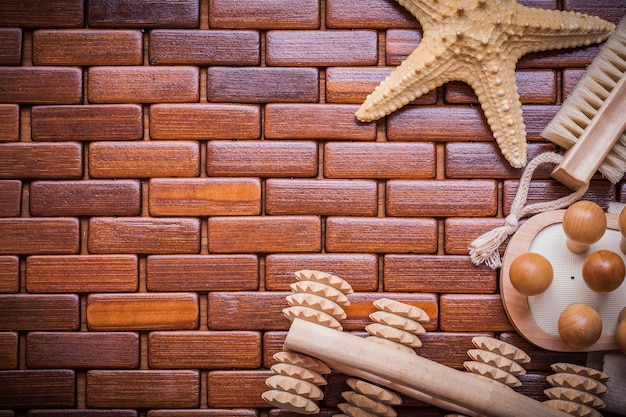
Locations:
(584, 223)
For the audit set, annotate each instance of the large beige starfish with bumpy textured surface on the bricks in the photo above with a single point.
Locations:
(479, 42)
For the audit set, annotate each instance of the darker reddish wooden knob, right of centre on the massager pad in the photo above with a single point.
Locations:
(604, 271)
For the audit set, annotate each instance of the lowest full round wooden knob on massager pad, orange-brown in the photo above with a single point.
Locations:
(580, 326)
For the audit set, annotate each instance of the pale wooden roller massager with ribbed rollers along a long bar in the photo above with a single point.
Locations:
(386, 361)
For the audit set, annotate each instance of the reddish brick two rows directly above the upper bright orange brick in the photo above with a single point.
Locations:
(205, 121)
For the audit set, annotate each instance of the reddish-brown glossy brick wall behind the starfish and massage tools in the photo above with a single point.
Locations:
(166, 166)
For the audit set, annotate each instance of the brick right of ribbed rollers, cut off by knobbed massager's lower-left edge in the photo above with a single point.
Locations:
(473, 313)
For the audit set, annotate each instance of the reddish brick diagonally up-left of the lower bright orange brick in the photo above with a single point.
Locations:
(81, 273)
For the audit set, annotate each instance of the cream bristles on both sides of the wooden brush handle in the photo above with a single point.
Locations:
(584, 101)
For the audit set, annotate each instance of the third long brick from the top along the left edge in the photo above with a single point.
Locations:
(41, 160)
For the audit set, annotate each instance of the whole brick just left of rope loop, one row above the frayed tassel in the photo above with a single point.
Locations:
(442, 198)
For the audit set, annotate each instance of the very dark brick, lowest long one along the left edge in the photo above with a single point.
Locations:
(37, 388)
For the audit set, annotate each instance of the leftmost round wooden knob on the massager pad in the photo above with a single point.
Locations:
(531, 273)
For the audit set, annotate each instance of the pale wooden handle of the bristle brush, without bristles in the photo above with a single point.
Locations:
(582, 160)
